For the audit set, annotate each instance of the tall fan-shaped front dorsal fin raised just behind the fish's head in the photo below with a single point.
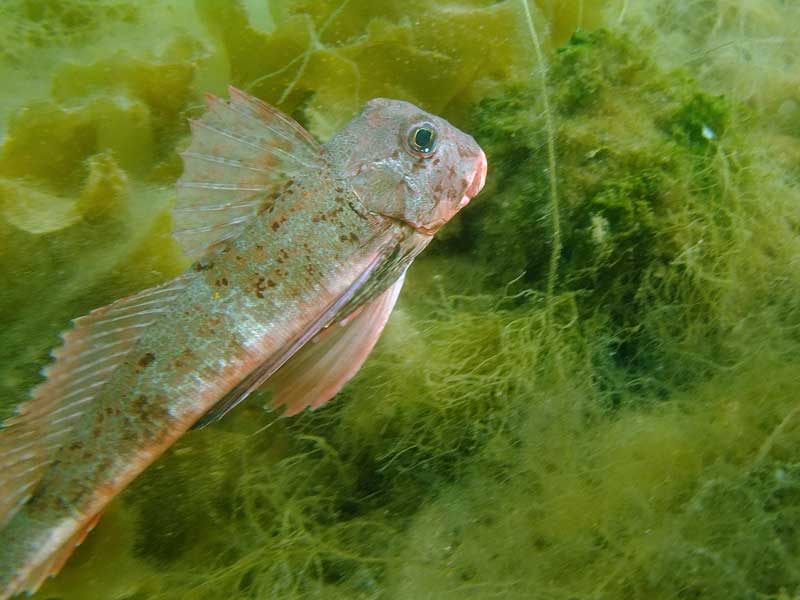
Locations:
(241, 151)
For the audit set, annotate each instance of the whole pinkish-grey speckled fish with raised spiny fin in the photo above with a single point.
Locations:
(299, 251)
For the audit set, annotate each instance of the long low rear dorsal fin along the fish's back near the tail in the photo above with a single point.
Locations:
(95, 346)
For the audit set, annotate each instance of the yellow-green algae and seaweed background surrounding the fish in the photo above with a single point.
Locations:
(591, 388)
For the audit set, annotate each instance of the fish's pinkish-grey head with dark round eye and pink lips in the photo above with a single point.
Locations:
(407, 164)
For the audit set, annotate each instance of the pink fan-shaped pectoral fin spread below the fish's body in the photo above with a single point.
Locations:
(321, 368)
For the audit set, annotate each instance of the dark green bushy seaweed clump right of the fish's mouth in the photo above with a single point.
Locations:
(643, 175)
